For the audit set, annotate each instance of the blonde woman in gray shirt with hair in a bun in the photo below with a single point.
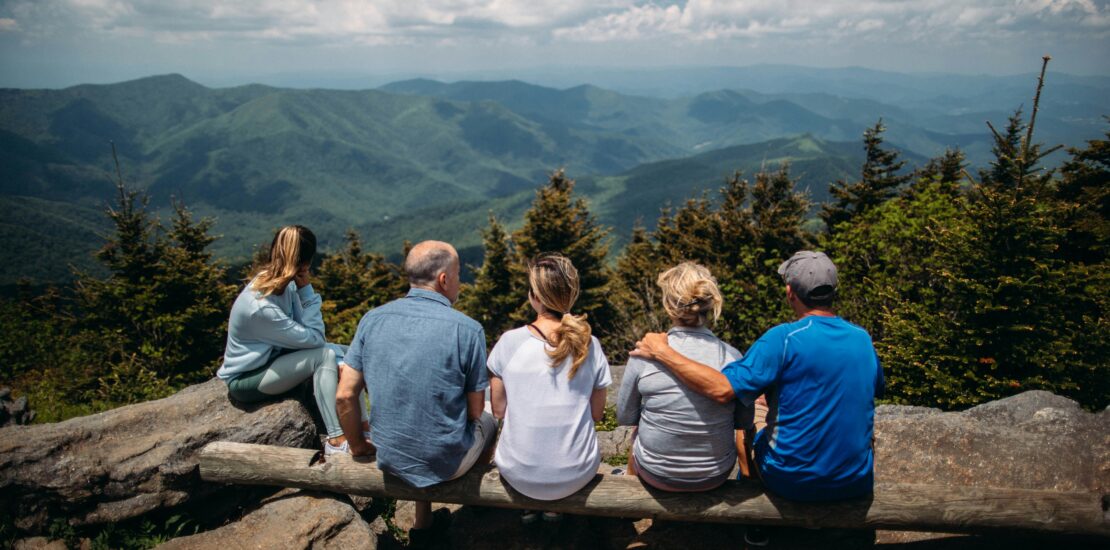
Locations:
(683, 442)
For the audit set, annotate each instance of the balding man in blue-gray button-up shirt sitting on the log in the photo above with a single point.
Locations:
(425, 366)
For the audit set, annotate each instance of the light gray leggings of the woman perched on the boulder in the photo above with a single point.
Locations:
(289, 371)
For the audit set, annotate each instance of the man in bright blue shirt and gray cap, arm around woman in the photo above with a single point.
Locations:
(821, 376)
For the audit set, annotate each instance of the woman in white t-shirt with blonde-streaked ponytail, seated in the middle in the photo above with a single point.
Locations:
(548, 383)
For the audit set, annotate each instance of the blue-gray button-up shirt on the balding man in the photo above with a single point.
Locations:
(420, 358)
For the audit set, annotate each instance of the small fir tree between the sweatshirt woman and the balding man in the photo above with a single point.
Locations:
(352, 283)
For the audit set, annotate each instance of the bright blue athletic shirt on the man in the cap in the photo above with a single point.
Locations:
(822, 377)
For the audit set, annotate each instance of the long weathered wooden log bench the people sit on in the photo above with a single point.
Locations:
(903, 507)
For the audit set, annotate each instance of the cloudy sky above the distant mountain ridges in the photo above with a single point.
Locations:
(63, 43)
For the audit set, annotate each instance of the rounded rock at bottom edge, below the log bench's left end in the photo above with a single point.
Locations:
(290, 521)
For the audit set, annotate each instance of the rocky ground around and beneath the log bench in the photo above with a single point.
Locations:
(140, 462)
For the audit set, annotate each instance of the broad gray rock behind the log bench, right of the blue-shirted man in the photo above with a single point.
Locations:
(1034, 441)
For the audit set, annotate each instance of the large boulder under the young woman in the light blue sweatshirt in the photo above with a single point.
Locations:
(136, 459)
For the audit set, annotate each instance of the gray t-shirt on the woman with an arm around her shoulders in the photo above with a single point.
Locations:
(683, 436)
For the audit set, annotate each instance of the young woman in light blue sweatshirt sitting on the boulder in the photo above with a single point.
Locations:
(276, 334)
